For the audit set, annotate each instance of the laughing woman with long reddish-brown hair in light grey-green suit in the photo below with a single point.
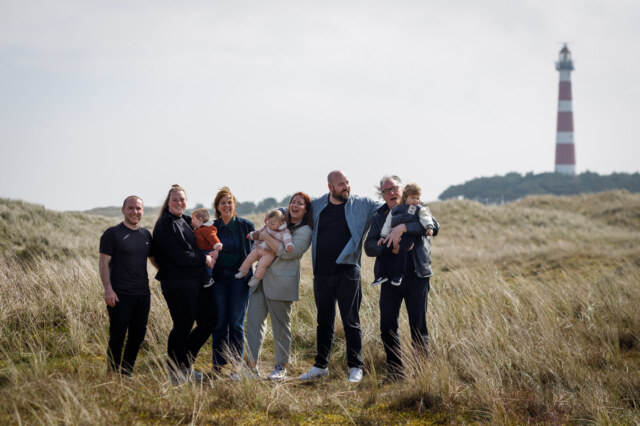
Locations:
(275, 295)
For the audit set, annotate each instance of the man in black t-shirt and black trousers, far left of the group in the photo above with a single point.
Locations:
(124, 250)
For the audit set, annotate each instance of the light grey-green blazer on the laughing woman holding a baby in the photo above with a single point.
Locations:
(281, 280)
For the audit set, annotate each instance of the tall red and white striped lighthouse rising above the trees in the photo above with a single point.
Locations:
(565, 149)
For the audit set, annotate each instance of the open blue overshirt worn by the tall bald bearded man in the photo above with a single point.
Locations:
(358, 212)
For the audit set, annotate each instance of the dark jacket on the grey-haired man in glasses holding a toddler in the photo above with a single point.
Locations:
(421, 253)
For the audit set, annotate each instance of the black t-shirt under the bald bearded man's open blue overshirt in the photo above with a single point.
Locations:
(333, 236)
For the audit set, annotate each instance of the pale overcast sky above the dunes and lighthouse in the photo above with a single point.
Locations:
(102, 99)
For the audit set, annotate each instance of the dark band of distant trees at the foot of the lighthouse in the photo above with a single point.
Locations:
(498, 189)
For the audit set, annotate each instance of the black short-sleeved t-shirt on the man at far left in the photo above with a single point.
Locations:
(129, 250)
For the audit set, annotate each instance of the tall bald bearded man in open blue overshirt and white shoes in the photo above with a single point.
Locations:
(341, 221)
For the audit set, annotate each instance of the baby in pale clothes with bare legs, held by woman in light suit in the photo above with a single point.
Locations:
(276, 226)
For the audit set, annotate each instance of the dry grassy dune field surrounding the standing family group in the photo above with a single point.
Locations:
(533, 317)
